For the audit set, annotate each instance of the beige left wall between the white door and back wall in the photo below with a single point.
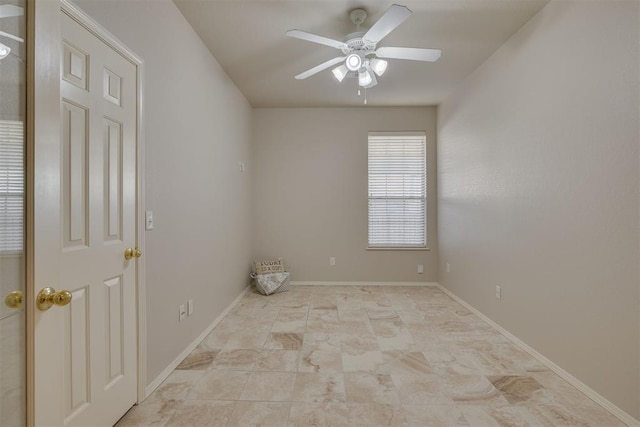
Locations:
(198, 128)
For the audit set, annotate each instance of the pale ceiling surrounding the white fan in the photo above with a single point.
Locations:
(247, 37)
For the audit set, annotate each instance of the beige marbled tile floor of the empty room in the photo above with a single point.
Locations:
(368, 356)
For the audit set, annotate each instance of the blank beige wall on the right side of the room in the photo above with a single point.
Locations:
(538, 191)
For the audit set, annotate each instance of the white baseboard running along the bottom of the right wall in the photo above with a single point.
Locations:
(582, 387)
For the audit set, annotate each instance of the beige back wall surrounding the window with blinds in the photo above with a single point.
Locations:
(310, 192)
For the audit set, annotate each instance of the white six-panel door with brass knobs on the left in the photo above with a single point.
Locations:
(91, 343)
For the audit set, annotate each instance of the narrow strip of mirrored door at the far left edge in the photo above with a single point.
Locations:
(12, 212)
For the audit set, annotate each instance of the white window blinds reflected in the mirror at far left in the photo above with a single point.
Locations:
(11, 186)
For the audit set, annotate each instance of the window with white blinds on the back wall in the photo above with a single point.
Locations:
(397, 190)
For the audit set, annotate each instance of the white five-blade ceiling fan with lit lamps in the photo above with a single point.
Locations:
(361, 56)
